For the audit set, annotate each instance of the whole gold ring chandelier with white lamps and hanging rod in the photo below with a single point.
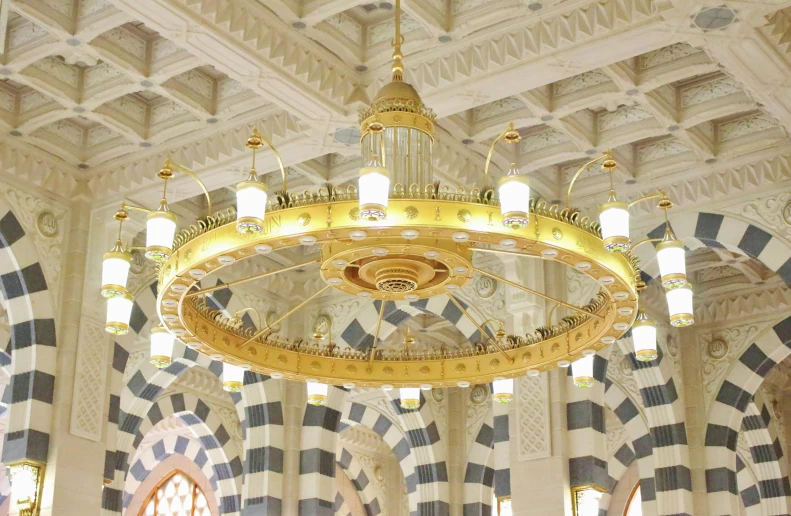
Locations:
(397, 237)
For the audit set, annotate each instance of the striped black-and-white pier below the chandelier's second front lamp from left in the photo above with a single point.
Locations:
(317, 454)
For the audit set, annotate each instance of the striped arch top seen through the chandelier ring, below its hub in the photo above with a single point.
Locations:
(359, 333)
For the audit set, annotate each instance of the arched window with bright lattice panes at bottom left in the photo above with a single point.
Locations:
(176, 495)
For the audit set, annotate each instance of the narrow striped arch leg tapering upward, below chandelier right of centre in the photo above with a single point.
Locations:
(479, 473)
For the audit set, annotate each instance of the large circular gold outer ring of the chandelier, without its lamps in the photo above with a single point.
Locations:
(549, 235)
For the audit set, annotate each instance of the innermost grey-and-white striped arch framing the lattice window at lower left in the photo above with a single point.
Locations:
(159, 452)
